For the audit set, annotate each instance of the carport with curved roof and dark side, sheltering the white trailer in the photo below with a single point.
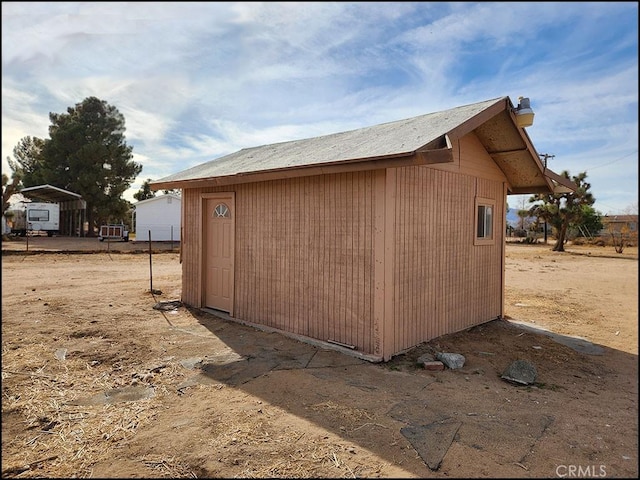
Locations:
(73, 209)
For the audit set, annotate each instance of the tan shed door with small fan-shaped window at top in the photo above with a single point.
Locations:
(219, 252)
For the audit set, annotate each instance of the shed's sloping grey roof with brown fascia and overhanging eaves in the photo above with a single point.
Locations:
(425, 139)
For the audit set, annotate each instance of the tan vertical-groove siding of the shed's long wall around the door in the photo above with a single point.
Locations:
(304, 255)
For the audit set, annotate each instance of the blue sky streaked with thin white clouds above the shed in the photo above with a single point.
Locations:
(196, 81)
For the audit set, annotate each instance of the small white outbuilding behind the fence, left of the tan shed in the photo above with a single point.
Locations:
(160, 216)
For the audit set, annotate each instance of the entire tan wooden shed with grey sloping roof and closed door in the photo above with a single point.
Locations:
(371, 241)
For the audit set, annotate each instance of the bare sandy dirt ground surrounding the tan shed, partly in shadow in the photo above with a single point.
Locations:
(97, 383)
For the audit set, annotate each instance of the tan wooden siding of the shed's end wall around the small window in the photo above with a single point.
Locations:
(443, 282)
